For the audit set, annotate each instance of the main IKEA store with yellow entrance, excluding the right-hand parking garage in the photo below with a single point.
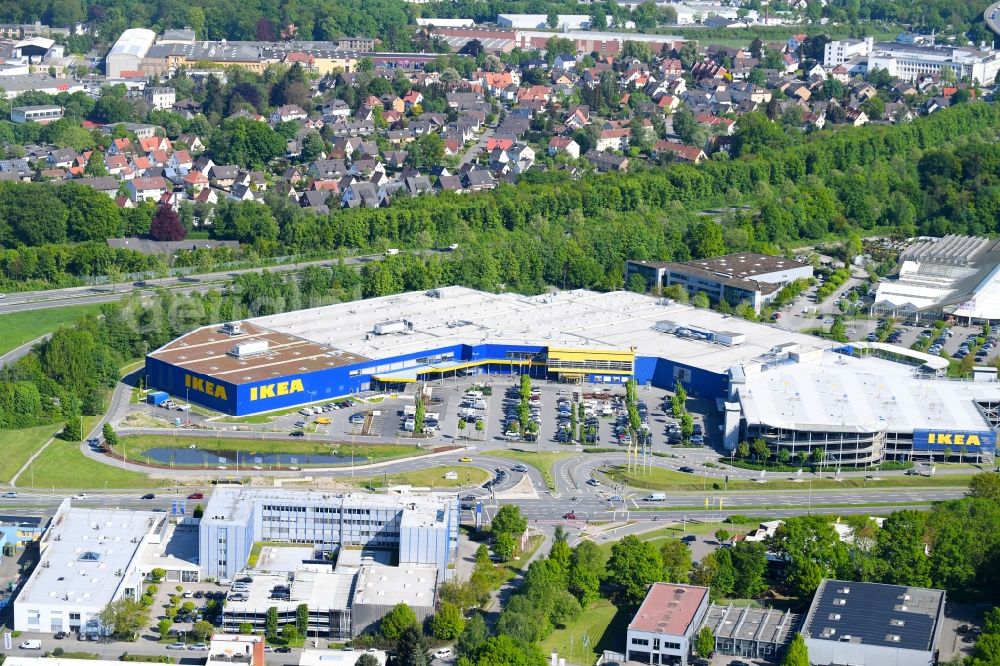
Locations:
(314, 355)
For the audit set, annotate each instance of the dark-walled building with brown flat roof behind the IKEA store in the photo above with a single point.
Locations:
(746, 276)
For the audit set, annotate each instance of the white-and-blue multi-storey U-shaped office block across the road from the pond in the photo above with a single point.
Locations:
(414, 529)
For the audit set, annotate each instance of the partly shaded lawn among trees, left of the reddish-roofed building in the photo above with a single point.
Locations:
(601, 626)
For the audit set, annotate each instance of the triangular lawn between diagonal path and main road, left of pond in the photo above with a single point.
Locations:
(62, 465)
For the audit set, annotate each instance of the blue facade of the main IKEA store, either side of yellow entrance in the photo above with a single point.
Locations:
(308, 387)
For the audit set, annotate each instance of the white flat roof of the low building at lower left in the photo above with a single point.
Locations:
(86, 552)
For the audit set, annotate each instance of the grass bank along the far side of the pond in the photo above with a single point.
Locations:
(135, 445)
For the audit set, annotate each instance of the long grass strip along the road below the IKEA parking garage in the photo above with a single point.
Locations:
(666, 479)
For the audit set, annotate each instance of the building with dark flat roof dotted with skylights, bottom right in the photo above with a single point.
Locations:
(871, 624)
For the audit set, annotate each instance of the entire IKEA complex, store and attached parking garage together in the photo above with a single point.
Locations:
(794, 391)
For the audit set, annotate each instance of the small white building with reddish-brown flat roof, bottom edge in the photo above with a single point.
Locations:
(664, 627)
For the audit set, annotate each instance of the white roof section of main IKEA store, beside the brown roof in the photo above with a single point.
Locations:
(576, 319)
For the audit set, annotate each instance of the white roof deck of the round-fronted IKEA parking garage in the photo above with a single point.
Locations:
(839, 393)
